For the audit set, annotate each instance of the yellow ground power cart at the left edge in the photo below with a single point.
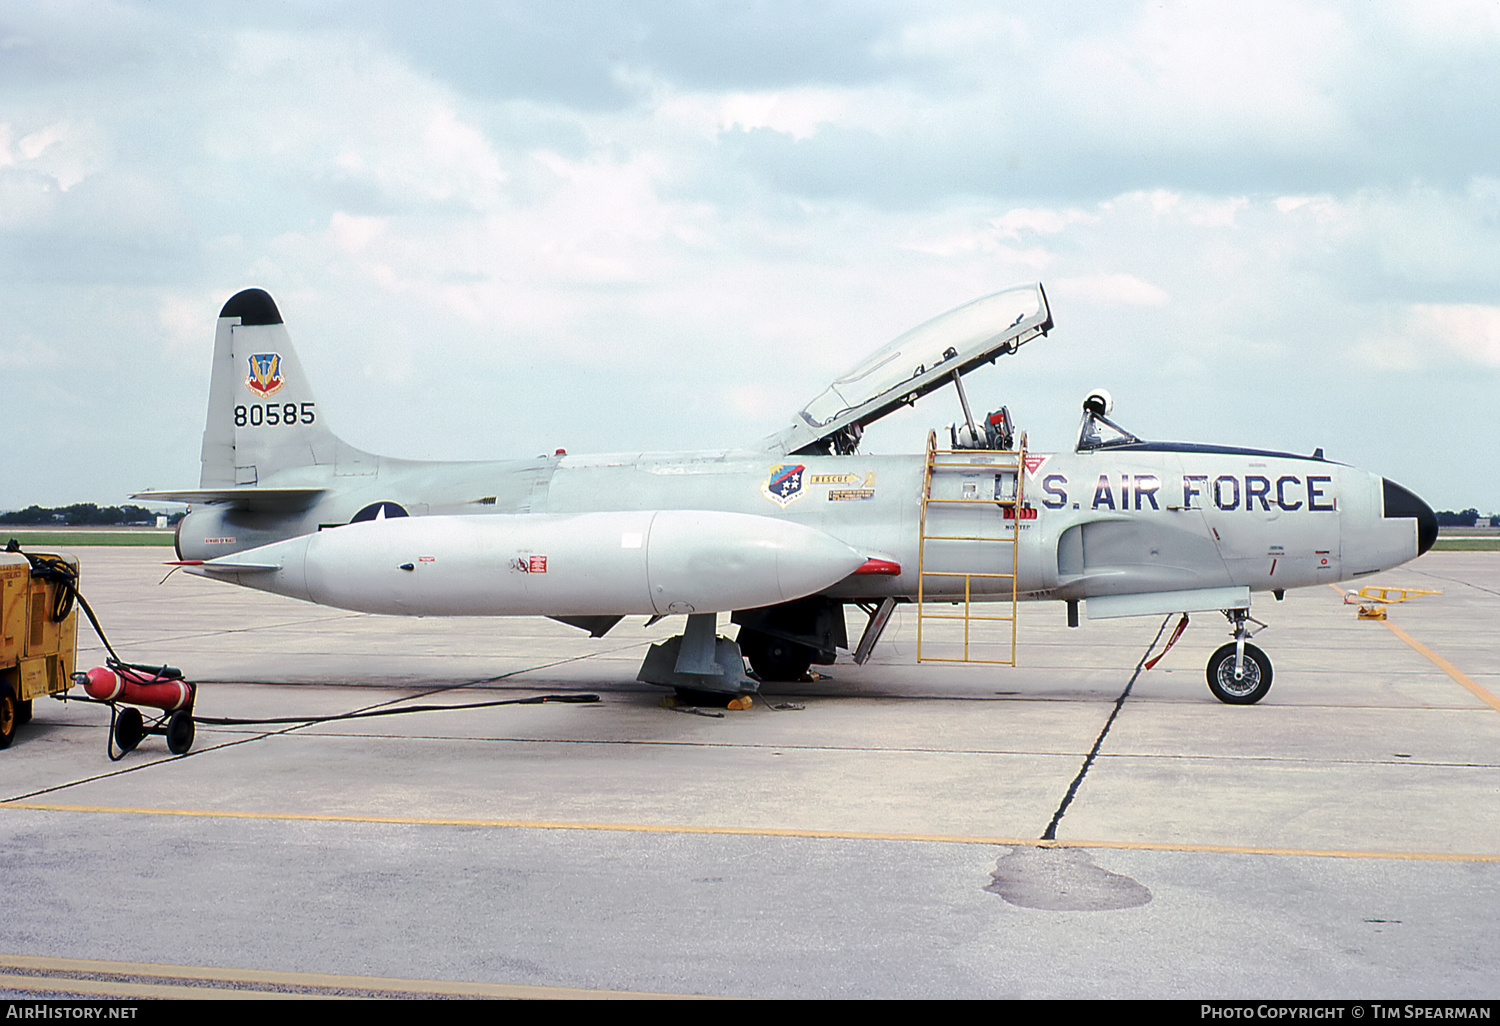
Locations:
(37, 646)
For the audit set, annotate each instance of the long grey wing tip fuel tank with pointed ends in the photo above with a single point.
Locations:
(625, 563)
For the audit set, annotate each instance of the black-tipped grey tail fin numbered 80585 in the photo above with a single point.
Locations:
(263, 416)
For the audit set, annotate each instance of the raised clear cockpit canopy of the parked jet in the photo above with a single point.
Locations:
(913, 365)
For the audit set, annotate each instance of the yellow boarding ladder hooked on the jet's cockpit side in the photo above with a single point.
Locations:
(956, 517)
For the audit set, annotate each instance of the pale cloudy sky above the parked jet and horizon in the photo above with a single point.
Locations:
(502, 229)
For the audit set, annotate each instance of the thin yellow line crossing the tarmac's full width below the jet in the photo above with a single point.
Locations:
(752, 832)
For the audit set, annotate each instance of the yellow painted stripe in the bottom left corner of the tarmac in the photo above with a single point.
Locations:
(313, 980)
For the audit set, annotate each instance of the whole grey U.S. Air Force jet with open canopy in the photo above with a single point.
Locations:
(791, 532)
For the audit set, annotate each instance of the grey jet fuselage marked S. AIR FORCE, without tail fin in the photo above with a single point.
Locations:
(1144, 518)
